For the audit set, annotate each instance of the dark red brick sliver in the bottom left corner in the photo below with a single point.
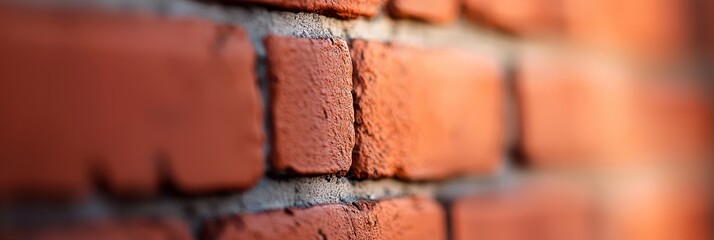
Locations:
(154, 229)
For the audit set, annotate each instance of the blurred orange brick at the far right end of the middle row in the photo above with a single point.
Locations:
(675, 117)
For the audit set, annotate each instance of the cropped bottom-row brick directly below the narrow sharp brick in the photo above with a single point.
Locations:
(402, 218)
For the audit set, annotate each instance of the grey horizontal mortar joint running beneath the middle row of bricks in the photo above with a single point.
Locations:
(268, 194)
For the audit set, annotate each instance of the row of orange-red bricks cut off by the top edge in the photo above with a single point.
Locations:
(652, 28)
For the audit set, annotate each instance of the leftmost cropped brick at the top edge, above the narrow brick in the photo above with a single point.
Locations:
(336, 8)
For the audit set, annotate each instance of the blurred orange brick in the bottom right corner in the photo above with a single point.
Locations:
(657, 207)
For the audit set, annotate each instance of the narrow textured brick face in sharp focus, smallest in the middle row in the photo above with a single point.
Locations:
(311, 92)
